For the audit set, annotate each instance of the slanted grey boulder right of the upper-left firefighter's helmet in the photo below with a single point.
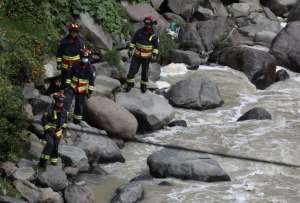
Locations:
(94, 32)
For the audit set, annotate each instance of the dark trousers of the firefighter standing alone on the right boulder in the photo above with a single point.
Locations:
(134, 68)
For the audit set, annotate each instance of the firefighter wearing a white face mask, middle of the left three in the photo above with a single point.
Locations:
(80, 83)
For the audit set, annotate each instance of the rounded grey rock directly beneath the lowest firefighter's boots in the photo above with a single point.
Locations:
(53, 177)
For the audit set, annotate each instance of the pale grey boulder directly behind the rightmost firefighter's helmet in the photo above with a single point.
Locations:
(137, 13)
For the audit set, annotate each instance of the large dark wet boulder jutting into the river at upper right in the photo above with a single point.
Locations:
(259, 66)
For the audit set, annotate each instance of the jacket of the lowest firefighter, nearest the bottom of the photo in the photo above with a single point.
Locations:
(56, 120)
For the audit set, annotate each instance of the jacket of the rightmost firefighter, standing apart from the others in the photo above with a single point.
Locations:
(145, 44)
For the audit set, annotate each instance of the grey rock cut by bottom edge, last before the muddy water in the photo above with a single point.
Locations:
(78, 194)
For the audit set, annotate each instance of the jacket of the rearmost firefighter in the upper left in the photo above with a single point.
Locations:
(69, 51)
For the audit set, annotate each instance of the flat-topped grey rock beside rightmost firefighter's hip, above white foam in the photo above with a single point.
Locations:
(188, 57)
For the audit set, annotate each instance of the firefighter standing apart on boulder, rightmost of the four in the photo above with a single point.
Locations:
(143, 49)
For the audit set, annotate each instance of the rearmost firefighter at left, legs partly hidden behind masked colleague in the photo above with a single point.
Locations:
(68, 51)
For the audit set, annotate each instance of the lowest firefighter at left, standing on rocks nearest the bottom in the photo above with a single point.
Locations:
(54, 121)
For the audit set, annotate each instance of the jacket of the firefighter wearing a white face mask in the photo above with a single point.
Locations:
(81, 78)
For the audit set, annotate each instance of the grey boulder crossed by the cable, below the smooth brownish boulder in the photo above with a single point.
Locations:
(98, 147)
